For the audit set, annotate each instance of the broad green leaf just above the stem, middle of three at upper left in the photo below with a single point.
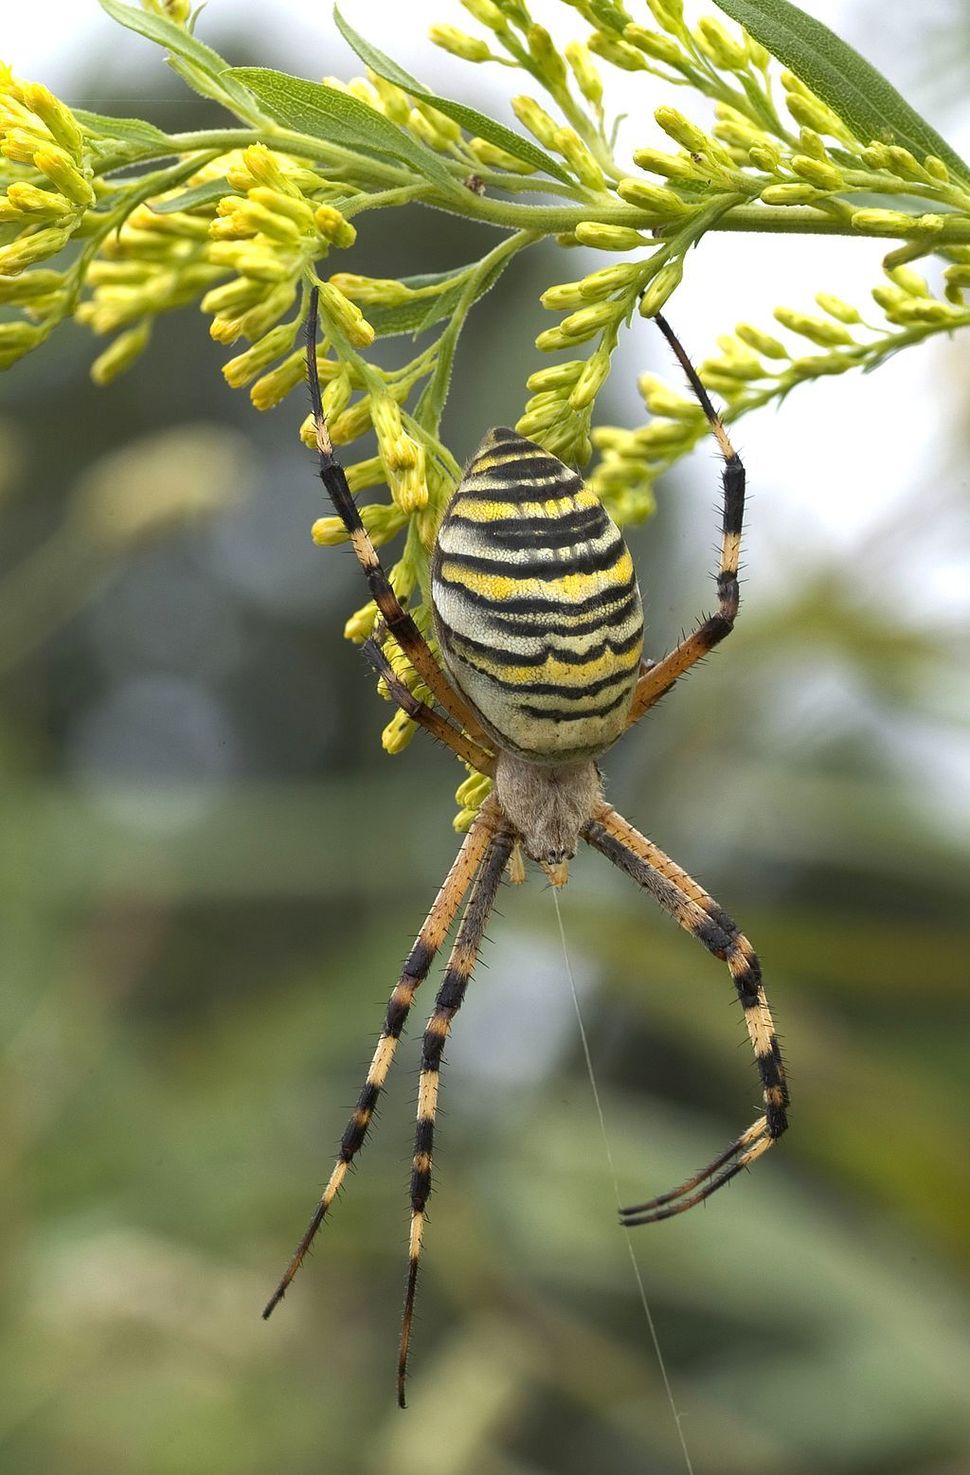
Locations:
(324, 113)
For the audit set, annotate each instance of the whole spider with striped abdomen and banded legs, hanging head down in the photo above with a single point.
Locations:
(540, 628)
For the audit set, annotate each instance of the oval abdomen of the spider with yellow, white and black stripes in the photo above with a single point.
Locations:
(537, 607)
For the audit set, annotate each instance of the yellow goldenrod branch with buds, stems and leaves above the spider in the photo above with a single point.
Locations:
(242, 222)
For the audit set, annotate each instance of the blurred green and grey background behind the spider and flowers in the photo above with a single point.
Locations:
(212, 872)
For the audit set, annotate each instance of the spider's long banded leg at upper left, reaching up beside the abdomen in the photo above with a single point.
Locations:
(399, 622)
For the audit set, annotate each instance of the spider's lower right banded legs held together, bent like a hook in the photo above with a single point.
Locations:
(699, 915)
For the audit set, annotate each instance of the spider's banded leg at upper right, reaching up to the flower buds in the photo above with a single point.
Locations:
(663, 676)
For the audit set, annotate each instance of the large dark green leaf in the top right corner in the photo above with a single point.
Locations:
(841, 77)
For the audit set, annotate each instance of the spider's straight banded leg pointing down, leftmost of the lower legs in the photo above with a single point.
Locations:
(415, 971)
